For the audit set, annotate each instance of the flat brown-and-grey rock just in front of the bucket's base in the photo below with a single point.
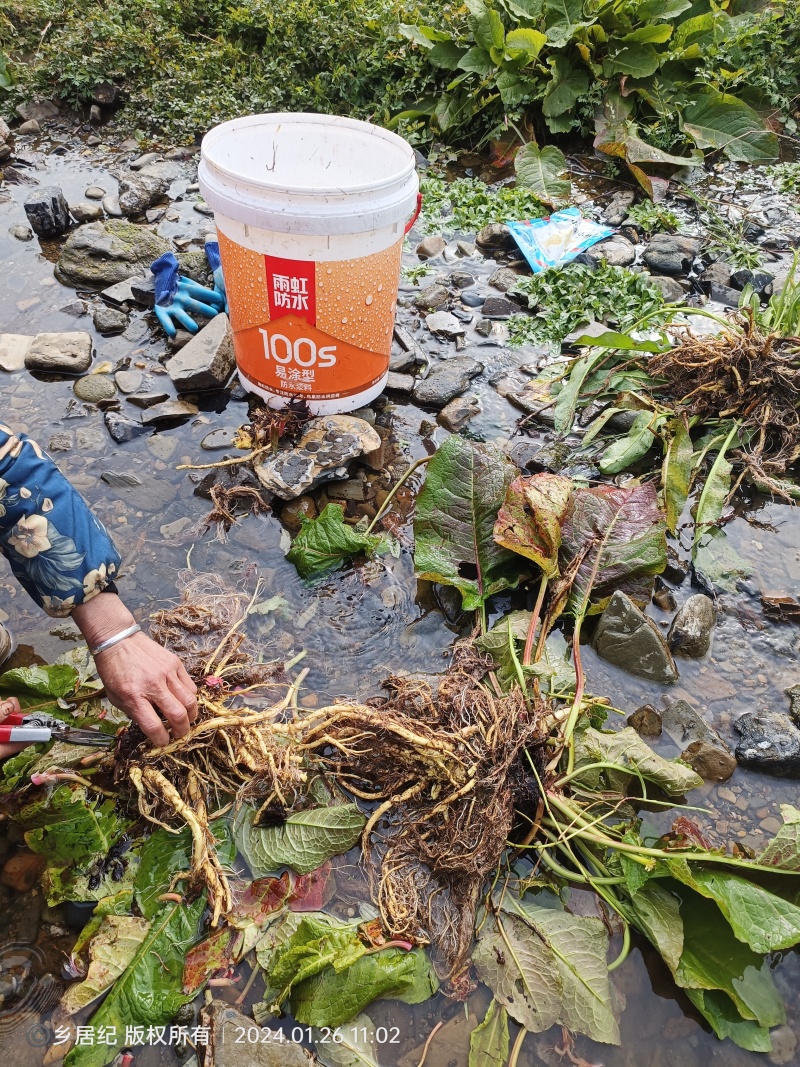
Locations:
(325, 450)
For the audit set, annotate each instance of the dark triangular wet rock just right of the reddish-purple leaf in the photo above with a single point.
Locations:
(628, 639)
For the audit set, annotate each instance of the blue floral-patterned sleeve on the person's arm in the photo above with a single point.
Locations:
(57, 549)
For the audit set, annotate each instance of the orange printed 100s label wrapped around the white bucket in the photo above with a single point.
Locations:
(317, 330)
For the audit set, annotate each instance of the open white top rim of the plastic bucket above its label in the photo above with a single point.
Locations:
(308, 173)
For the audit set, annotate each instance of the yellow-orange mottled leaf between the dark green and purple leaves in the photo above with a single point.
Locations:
(530, 521)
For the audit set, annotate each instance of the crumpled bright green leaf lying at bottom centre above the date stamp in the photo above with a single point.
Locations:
(332, 999)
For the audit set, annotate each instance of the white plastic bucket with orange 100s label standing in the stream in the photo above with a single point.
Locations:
(311, 212)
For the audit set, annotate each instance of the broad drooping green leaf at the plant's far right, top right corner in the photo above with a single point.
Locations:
(721, 121)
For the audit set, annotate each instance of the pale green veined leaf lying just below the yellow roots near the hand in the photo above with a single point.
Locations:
(303, 842)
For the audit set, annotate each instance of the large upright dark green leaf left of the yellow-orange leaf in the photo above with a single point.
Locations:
(454, 527)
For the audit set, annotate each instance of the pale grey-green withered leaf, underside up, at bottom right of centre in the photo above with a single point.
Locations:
(549, 967)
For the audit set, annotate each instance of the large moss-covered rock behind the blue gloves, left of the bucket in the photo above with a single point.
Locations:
(101, 254)
